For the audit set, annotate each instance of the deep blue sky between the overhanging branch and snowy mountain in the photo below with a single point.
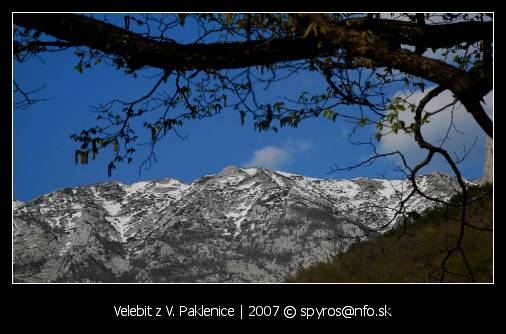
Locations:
(44, 154)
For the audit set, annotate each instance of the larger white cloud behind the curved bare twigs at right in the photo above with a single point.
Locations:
(437, 128)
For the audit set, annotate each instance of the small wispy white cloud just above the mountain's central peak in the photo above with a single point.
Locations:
(274, 157)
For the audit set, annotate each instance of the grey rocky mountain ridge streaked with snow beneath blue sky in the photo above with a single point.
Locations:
(241, 225)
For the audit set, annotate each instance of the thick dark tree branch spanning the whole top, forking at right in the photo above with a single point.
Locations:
(139, 51)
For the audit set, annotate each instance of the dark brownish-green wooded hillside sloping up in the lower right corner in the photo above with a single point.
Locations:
(415, 251)
